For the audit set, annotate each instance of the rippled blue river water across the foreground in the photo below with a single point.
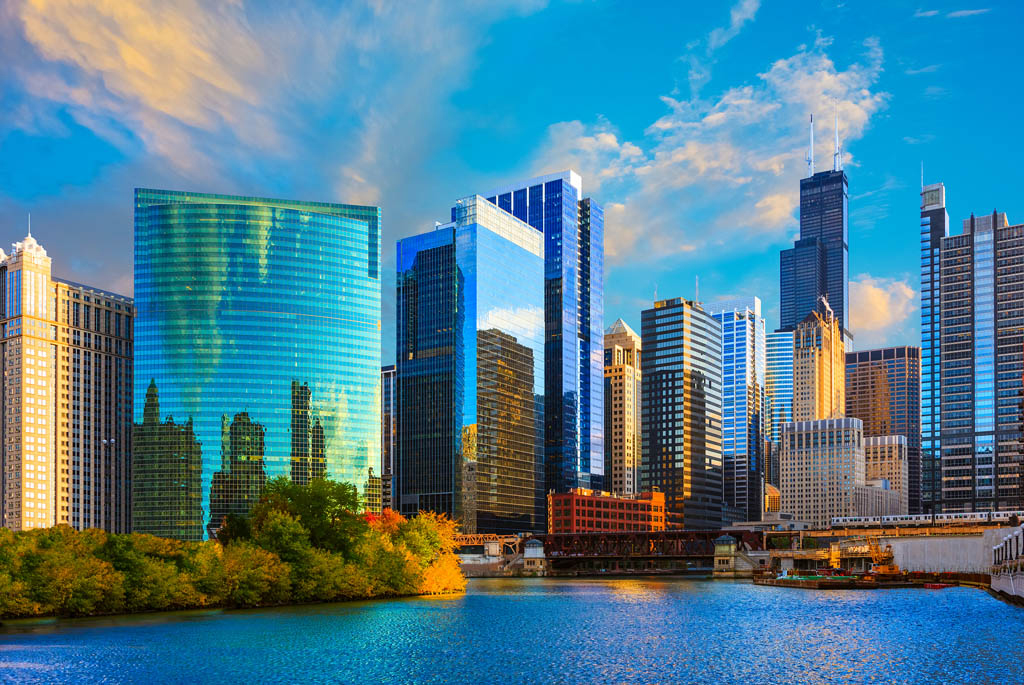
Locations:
(667, 631)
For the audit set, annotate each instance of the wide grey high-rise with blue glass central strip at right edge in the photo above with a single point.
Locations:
(983, 341)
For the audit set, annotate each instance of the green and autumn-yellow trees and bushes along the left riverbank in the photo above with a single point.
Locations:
(300, 545)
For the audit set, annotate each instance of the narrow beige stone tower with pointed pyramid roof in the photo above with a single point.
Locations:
(623, 441)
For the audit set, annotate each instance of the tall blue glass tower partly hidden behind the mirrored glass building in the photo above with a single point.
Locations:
(574, 387)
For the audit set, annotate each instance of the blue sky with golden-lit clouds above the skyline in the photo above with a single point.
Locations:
(687, 120)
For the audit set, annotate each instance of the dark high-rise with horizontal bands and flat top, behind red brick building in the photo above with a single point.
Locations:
(682, 410)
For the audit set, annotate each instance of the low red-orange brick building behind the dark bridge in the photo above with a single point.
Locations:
(592, 511)
